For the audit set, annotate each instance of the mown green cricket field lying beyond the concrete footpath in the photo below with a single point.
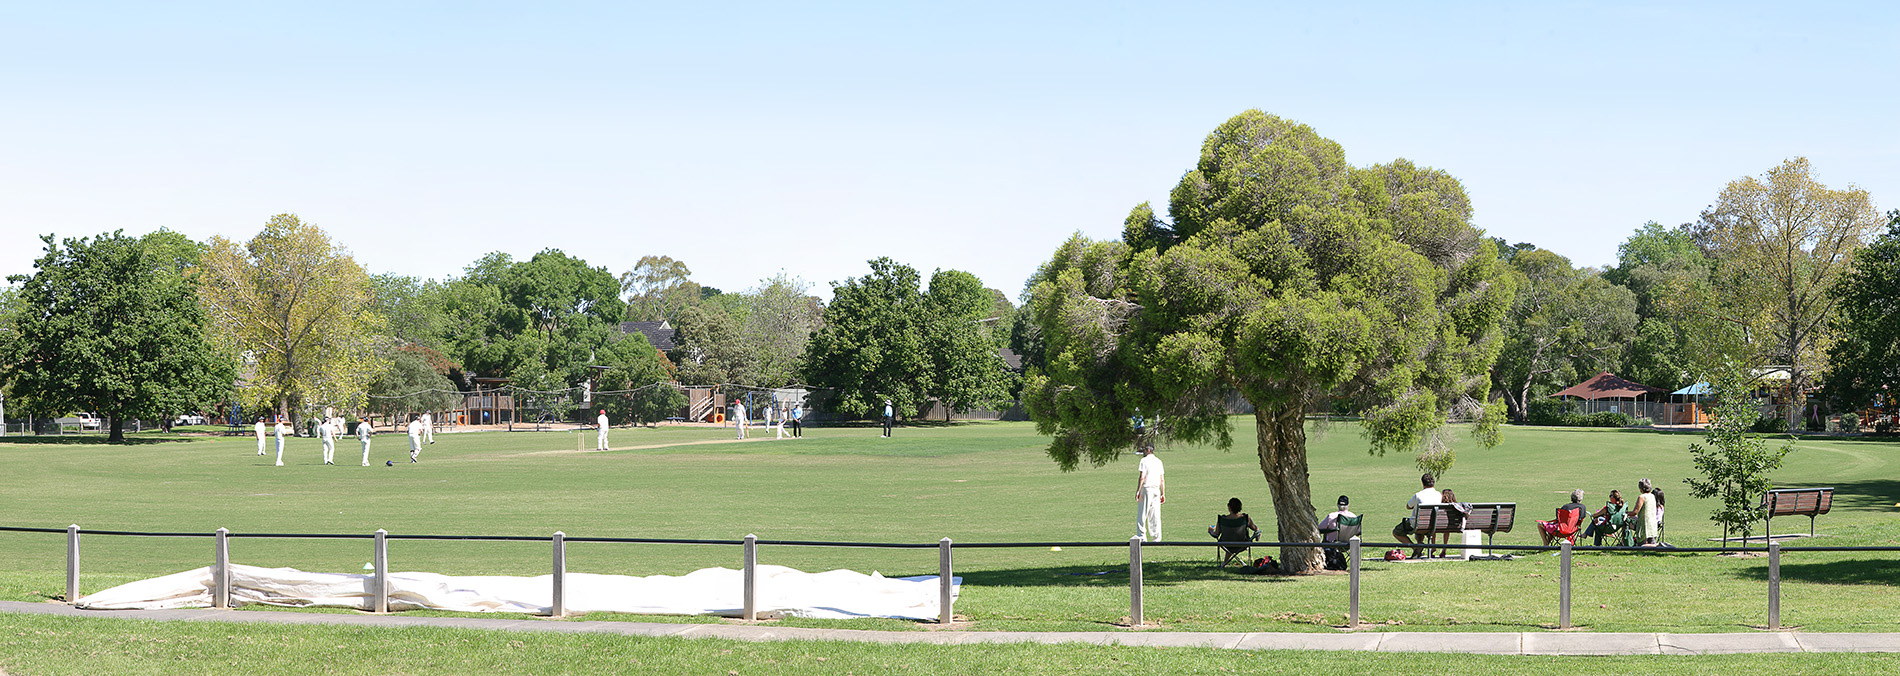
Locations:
(972, 483)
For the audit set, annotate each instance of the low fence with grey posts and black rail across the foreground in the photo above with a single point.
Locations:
(1352, 550)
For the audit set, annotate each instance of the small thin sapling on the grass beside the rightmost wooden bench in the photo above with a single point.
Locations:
(1736, 466)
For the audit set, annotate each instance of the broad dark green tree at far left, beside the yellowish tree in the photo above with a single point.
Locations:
(113, 326)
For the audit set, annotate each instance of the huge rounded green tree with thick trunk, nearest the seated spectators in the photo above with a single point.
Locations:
(1287, 280)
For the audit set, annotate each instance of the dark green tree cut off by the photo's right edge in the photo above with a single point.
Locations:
(1865, 364)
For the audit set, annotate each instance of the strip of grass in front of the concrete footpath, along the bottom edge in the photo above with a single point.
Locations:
(52, 647)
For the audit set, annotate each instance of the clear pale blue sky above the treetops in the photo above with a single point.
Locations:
(748, 140)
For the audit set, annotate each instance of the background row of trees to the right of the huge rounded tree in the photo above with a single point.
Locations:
(1766, 276)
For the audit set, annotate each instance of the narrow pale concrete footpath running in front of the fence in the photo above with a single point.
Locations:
(1382, 643)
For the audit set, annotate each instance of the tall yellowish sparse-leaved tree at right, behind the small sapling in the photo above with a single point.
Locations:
(1781, 244)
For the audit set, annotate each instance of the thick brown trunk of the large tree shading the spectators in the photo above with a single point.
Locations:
(1282, 436)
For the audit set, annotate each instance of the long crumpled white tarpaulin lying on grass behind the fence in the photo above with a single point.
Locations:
(710, 591)
